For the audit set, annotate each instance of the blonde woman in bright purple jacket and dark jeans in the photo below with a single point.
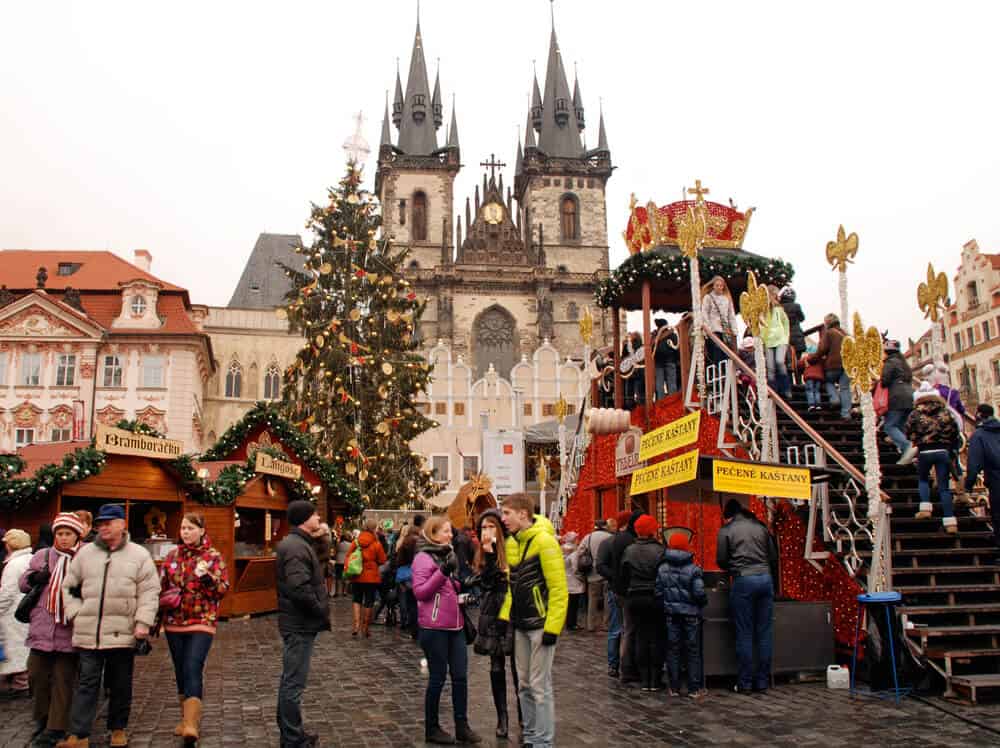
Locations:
(442, 635)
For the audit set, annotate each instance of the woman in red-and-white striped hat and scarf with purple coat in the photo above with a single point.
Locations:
(52, 662)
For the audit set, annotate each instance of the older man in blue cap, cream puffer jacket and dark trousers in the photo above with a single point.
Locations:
(111, 592)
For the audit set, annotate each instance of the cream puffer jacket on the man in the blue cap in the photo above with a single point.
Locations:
(114, 591)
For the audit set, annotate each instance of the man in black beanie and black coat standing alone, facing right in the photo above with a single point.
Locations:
(303, 611)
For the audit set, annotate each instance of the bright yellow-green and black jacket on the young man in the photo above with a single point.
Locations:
(552, 595)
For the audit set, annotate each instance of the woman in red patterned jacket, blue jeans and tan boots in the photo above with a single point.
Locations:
(194, 579)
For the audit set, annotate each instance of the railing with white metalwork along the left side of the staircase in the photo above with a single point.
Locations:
(847, 532)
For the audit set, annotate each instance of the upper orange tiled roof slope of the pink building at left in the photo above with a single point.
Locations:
(98, 271)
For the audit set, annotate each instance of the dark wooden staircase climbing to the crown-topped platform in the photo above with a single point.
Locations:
(950, 583)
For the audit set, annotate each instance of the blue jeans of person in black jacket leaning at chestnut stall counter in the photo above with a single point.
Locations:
(751, 603)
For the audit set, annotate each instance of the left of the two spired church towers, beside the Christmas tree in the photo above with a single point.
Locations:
(415, 176)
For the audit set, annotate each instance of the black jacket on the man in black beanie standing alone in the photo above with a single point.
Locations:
(302, 597)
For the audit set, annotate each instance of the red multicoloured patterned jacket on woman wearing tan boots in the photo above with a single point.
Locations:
(201, 589)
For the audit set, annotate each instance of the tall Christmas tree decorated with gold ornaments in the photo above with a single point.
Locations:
(355, 383)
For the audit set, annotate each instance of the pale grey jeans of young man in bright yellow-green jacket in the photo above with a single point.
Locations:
(538, 701)
